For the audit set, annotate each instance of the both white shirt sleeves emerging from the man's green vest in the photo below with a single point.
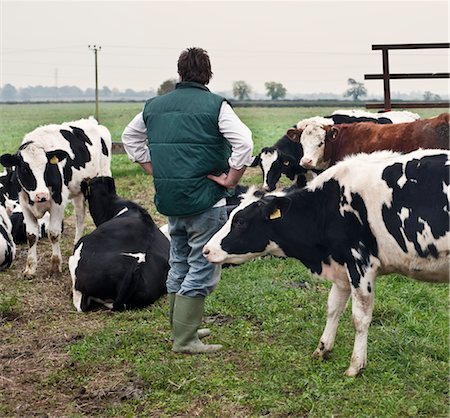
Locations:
(134, 138)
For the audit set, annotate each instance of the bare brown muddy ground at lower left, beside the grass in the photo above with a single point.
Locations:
(33, 344)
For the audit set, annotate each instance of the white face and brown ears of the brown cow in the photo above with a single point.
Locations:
(313, 139)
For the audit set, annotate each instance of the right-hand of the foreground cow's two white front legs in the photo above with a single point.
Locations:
(362, 308)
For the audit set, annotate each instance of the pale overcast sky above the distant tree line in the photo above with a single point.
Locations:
(308, 46)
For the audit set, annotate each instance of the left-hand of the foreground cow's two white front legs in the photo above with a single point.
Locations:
(337, 301)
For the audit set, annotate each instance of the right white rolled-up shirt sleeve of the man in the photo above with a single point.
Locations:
(238, 135)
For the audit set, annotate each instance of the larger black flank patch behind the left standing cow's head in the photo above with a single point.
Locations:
(77, 140)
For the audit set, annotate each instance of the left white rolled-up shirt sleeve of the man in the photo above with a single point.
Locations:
(134, 140)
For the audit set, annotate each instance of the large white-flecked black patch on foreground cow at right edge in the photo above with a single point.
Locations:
(423, 197)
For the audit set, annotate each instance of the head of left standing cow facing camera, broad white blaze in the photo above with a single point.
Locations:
(32, 166)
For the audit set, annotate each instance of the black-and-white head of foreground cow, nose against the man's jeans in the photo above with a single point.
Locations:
(247, 233)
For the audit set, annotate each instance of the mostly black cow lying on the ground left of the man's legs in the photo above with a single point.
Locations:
(123, 263)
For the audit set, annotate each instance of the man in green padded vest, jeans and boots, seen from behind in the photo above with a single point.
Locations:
(197, 149)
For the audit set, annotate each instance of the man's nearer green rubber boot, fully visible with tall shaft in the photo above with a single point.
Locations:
(187, 317)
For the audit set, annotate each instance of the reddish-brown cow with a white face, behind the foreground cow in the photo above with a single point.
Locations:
(324, 145)
